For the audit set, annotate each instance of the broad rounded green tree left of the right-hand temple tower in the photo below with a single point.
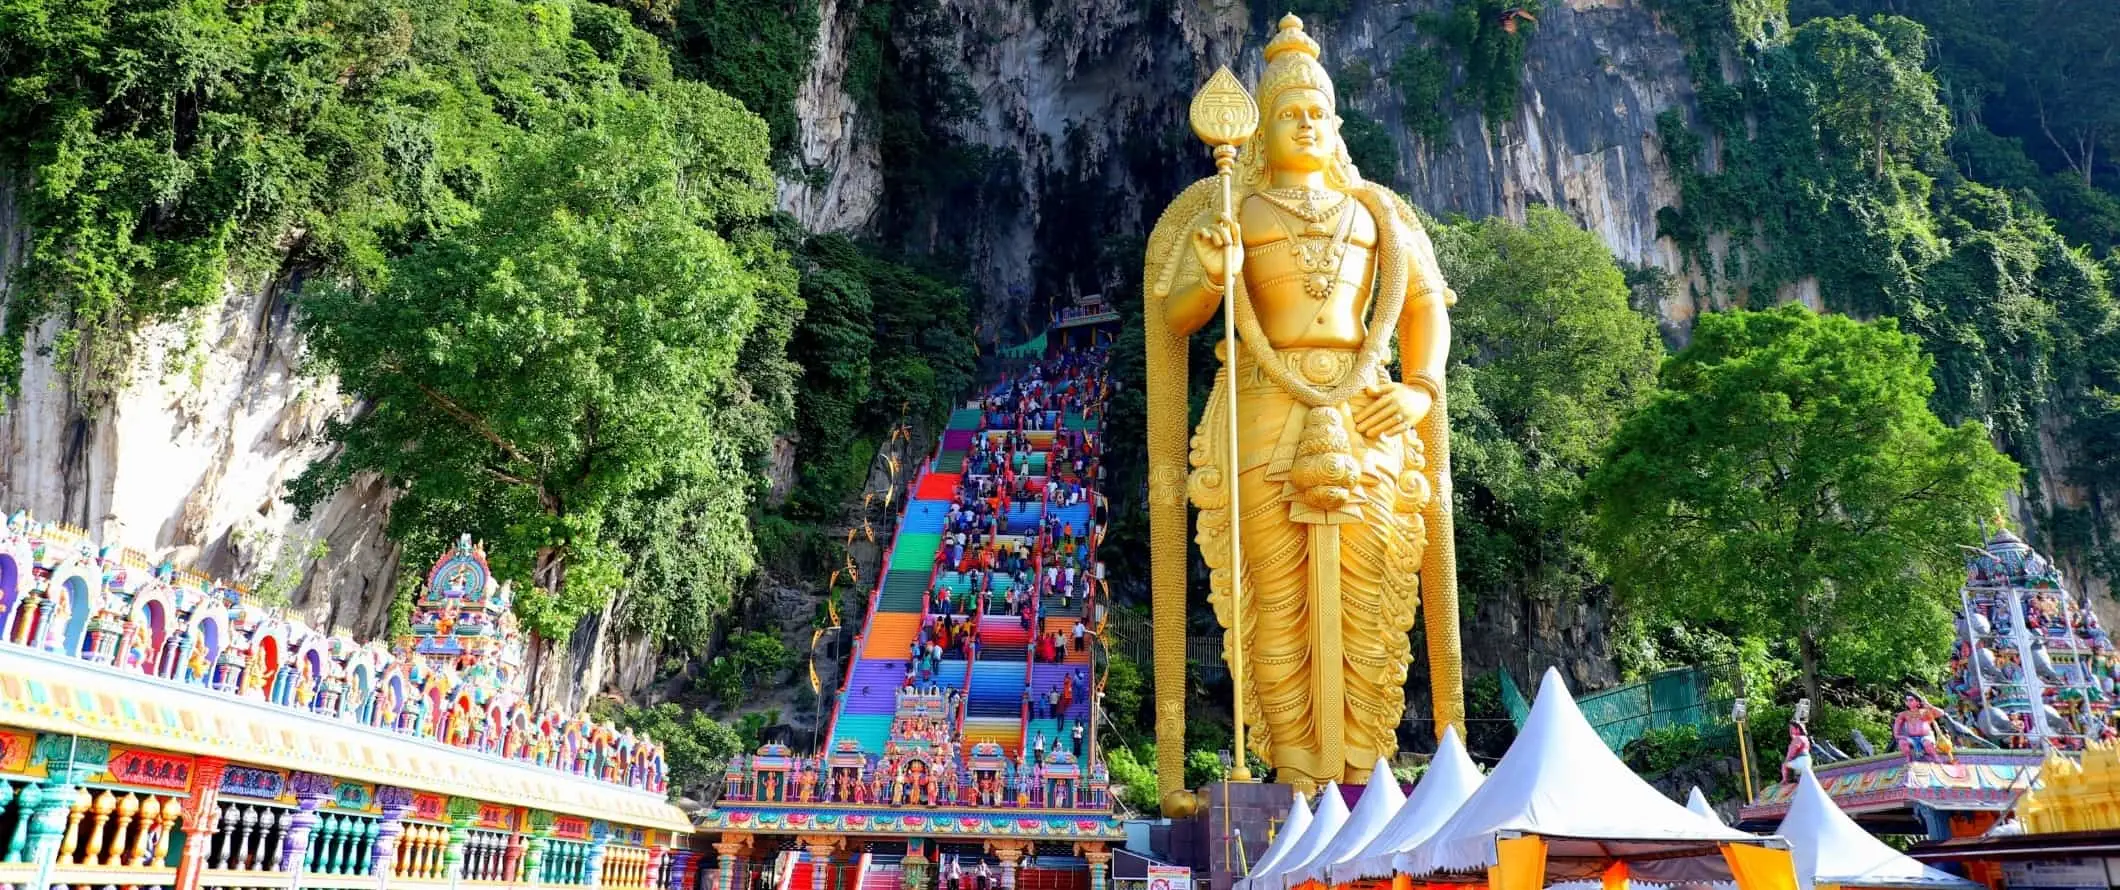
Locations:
(1792, 484)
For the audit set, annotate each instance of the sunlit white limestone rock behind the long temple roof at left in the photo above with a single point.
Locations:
(188, 457)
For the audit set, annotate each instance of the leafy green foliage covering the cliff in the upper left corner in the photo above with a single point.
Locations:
(166, 147)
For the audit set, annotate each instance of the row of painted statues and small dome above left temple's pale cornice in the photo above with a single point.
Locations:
(455, 679)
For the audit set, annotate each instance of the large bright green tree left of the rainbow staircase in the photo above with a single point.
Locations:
(550, 372)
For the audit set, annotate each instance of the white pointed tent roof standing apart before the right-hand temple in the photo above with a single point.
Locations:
(1831, 849)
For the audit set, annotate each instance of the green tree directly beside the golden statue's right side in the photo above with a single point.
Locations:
(1547, 361)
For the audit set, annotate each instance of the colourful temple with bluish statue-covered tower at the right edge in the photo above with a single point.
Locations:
(2013, 777)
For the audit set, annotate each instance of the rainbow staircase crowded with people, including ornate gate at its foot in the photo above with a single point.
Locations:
(964, 745)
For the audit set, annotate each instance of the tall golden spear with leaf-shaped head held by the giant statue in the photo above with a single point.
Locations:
(1224, 115)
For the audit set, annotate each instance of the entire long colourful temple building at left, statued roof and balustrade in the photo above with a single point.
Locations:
(162, 732)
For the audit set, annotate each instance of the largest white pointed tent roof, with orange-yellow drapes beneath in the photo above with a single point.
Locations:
(1563, 785)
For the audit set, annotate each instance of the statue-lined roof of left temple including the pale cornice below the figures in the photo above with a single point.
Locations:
(103, 645)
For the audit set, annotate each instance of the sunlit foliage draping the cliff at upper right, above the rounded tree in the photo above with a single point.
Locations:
(1843, 162)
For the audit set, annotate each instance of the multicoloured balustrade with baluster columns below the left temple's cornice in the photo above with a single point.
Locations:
(75, 815)
